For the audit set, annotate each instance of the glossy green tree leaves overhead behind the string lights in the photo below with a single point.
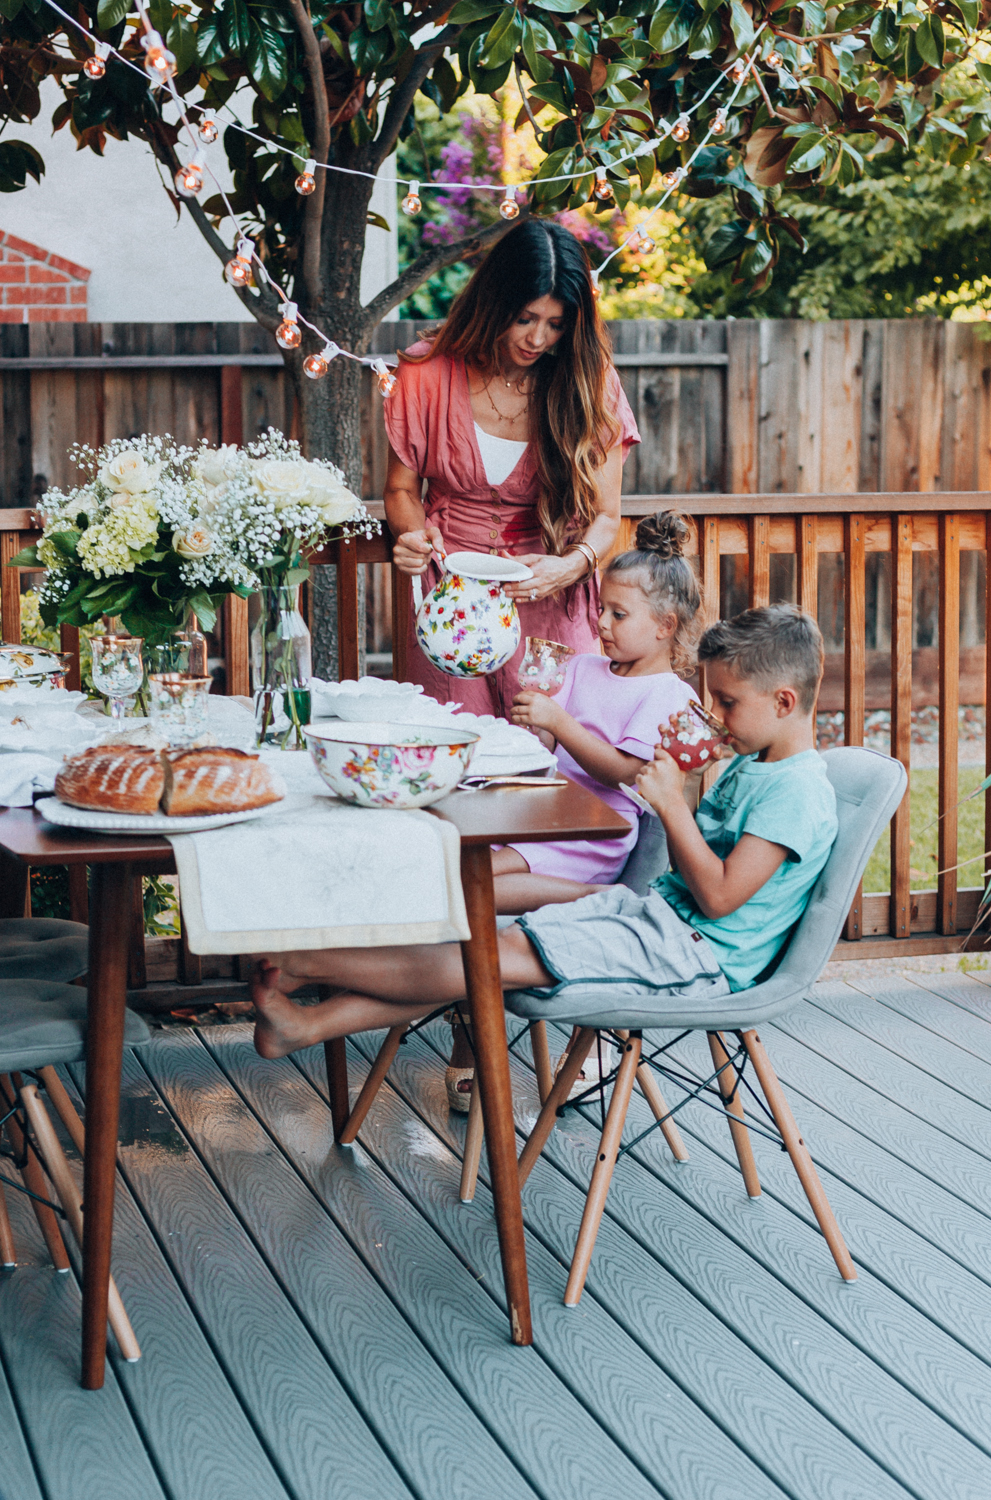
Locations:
(606, 79)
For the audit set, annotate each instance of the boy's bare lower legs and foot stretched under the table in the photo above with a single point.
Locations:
(380, 988)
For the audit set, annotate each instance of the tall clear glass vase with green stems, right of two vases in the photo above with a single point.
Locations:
(281, 670)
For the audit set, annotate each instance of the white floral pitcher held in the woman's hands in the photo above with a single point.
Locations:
(467, 626)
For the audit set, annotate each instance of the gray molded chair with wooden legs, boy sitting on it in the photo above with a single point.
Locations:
(869, 790)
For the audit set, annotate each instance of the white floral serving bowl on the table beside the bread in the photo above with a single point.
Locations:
(391, 766)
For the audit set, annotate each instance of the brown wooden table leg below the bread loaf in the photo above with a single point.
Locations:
(110, 940)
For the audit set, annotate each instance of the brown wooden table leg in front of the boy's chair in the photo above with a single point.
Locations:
(493, 1061)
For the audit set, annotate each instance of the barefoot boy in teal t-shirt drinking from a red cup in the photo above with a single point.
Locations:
(744, 869)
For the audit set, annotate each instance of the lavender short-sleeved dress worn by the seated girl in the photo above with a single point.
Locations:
(624, 712)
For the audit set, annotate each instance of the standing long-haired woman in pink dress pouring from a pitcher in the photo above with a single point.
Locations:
(515, 416)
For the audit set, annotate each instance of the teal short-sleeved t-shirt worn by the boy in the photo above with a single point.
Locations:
(789, 803)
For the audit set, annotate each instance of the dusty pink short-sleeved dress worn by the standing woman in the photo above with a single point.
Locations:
(433, 431)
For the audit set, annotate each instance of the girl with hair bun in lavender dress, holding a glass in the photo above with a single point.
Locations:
(605, 721)
